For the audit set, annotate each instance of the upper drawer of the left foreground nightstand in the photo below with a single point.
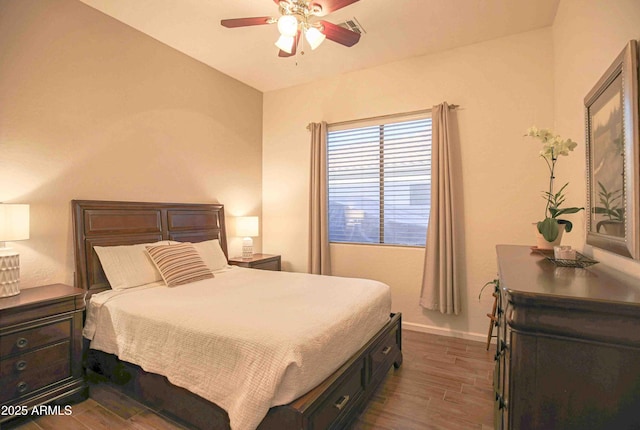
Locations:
(25, 340)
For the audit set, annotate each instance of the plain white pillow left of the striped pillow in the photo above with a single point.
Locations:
(128, 266)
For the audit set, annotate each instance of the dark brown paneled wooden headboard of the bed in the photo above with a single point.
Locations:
(106, 223)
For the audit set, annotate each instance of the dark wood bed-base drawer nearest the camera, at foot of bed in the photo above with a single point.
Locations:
(339, 401)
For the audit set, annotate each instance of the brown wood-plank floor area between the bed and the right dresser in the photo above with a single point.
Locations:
(444, 383)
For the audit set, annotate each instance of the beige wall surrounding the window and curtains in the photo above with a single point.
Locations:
(503, 86)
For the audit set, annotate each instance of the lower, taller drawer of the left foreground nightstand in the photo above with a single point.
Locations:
(24, 373)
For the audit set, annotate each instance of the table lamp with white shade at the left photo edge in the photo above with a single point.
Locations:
(14, 225)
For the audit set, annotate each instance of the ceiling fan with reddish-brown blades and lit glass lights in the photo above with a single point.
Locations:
(297, 17)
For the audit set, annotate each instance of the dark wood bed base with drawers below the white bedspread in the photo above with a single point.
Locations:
(333, 404)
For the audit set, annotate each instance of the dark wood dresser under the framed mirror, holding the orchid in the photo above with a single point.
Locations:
(568, 347)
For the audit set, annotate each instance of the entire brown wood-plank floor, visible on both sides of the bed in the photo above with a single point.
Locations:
(444, 383)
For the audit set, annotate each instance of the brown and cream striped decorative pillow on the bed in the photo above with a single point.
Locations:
(179, 264)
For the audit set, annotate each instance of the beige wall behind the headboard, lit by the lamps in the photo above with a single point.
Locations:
(92, 109)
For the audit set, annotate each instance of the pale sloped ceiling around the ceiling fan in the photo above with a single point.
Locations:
(395, 29)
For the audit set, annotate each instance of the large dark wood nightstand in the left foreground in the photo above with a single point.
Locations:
(41, 349)
